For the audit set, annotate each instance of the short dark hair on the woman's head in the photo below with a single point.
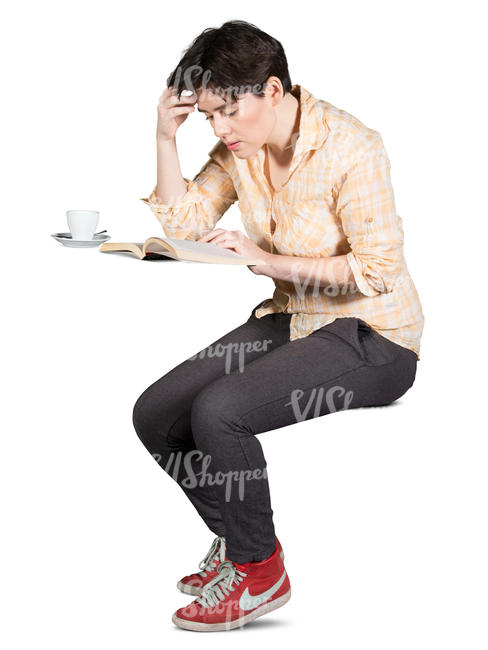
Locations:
(230, 60)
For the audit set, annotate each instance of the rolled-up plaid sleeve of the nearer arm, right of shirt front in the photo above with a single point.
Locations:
(366, 208)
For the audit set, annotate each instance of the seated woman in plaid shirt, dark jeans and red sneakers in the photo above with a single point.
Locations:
(342, 329)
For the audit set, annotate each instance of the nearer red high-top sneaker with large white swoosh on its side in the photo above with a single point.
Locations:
(238, 594)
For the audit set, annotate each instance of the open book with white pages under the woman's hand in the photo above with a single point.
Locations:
(180, 249)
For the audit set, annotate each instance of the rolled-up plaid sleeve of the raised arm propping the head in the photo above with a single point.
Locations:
(209, 194)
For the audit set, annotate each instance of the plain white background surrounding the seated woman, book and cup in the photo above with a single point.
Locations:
(381, 512)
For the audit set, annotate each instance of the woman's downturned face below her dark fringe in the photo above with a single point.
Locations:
(248, 120)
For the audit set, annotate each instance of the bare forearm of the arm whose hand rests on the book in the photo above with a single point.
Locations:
(310, 271)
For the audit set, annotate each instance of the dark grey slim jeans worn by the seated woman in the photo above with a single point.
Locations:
(200, 420)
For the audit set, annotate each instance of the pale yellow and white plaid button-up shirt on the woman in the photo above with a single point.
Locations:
(337, 200)
